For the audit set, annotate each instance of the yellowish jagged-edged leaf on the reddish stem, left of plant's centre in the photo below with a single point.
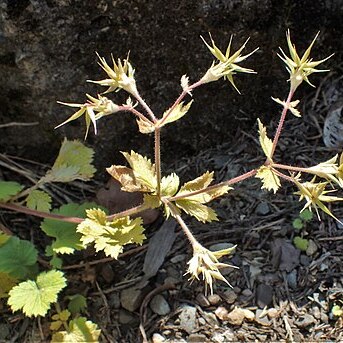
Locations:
(110, 236)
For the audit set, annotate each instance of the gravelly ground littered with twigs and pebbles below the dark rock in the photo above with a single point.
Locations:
(279, 293)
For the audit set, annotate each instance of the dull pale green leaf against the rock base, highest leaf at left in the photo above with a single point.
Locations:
(74, 161)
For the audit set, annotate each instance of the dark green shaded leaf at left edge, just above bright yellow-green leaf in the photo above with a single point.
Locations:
(18, 257)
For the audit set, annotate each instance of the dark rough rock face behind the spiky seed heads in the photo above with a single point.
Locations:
(47, 51)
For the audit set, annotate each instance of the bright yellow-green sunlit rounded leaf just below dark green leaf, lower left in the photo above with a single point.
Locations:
(35, 297)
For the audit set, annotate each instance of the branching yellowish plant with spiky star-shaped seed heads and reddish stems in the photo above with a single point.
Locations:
(110, 232)
